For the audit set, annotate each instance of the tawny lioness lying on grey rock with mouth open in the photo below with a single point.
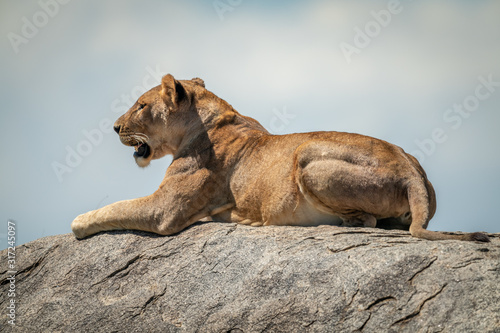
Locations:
(228, 167)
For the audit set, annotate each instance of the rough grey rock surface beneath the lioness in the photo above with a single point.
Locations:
(216, 277)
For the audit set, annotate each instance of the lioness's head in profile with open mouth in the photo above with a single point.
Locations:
(157, 123)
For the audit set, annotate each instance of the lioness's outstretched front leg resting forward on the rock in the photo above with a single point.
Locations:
(181, 200)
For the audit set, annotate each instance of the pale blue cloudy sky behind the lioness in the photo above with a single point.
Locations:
(77, 70)
